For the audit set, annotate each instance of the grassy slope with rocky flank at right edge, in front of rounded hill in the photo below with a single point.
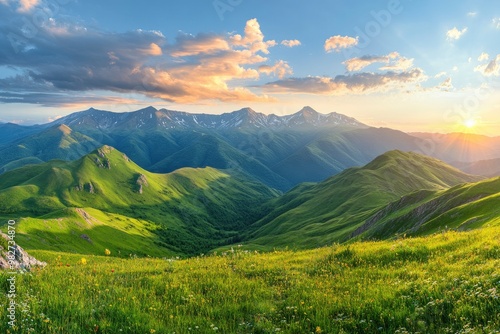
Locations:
(462, 207)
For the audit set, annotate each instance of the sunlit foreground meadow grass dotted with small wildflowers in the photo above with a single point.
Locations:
(444, 283)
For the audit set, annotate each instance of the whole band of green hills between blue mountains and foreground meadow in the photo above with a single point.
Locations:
(105, 200)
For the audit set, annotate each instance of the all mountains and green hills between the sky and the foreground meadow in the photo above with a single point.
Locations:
(164, 183)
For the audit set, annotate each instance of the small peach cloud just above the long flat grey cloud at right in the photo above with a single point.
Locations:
(394, 61)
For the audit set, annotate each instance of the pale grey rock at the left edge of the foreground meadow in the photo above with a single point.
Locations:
(22, 260)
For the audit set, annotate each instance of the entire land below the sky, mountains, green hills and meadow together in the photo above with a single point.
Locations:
(246, 223)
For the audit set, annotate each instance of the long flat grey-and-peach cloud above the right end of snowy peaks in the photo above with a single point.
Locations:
(357, 83)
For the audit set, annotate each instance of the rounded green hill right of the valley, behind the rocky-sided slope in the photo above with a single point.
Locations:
(332, 210)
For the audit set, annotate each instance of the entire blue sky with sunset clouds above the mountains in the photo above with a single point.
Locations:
(410, 65)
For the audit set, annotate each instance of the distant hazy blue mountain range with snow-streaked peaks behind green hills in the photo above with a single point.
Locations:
(279, 151)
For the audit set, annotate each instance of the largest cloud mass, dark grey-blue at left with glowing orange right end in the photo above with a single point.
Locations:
(84, 60)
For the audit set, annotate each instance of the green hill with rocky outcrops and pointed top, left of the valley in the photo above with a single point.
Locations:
(188, 211)
